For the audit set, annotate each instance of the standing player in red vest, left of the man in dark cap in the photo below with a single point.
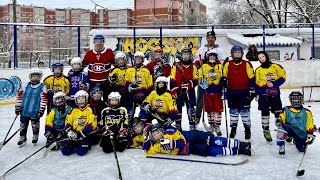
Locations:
(183, 79)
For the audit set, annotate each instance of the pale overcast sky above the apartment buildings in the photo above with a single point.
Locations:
(87, 4)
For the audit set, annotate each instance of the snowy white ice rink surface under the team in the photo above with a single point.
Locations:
(264, 164)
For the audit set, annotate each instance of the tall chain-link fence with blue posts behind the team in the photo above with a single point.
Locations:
(25, 45)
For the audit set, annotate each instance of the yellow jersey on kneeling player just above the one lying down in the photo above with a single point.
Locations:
(164, 105)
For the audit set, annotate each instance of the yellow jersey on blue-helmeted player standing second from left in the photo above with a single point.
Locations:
(57, 84)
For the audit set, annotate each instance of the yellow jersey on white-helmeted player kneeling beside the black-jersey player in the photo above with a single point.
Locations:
(82, 119)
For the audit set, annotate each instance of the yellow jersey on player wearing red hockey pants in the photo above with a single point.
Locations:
(212, 75)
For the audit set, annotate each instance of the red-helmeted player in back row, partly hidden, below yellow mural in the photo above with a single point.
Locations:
(159, 65)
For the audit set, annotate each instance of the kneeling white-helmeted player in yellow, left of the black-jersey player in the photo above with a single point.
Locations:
(81, 121)
